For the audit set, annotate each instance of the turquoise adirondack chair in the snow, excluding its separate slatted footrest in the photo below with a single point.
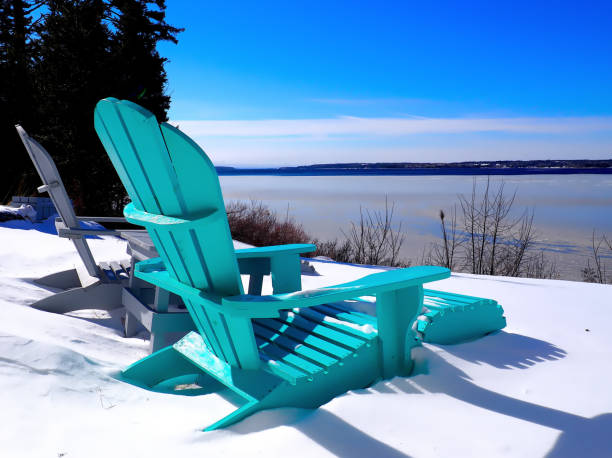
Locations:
(291, 348)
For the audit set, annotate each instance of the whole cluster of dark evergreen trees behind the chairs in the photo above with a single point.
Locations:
(57, 59)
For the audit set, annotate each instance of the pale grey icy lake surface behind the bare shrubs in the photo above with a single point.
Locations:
(567, 208)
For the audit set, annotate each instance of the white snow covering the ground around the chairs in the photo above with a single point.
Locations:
(541, 387)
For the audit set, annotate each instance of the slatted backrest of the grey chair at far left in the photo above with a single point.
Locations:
(53, 185)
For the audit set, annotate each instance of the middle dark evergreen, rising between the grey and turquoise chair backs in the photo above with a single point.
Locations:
(72, 75)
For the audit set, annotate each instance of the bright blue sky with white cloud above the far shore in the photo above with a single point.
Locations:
(282, 83)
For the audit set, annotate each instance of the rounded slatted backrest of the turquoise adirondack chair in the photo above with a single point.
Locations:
(166, 173)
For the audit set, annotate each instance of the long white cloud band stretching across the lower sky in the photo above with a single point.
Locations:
(354, 126)
